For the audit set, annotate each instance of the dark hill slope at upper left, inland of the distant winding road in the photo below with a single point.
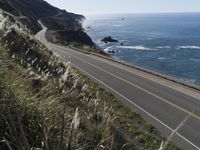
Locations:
(28, 12)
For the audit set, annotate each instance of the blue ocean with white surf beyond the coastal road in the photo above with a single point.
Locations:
(168, 43)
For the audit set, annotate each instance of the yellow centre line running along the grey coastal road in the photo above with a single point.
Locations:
(144, 90)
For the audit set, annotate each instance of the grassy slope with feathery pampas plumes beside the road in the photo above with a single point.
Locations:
(45, 103)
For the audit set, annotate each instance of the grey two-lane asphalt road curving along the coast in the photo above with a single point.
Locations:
(161, 102)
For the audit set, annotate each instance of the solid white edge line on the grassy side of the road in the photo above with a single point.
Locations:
(139, 108)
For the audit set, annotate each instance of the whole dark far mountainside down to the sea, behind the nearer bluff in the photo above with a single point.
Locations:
(29, 11)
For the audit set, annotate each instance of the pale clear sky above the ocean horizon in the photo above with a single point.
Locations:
(126, 6)
